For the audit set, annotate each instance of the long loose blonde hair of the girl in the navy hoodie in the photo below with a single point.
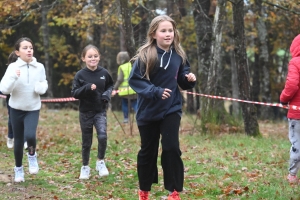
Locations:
(147, 53)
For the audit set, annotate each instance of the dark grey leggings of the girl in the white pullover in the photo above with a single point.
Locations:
(24, 124)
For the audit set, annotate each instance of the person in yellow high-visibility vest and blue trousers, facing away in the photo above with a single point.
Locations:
(127, 94)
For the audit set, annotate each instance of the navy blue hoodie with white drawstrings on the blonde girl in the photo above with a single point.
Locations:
(169, 72)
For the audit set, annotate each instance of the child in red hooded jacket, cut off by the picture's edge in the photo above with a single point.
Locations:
(291, 95)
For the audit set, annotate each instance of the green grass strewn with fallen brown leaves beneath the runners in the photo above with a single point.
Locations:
(225, 165)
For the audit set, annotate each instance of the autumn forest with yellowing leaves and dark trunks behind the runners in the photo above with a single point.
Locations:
(237, 48)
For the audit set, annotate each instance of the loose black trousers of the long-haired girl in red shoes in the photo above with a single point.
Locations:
(171, 161)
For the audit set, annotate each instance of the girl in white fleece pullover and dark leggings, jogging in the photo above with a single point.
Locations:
(25, 80)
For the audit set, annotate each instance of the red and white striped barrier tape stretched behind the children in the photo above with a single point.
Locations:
(193, 93)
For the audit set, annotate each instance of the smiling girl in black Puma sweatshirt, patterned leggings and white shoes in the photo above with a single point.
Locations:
(92, 85)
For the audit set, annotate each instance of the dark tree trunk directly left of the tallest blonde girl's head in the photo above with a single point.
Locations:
(127, 27)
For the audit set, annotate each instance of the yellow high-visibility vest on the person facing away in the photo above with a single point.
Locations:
(124, 88)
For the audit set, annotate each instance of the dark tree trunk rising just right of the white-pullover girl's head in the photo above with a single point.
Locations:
(45, 32)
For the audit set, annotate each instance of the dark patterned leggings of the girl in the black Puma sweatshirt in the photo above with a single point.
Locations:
(87, 121)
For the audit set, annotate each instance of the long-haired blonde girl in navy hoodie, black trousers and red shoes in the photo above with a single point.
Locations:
(160, 66)
